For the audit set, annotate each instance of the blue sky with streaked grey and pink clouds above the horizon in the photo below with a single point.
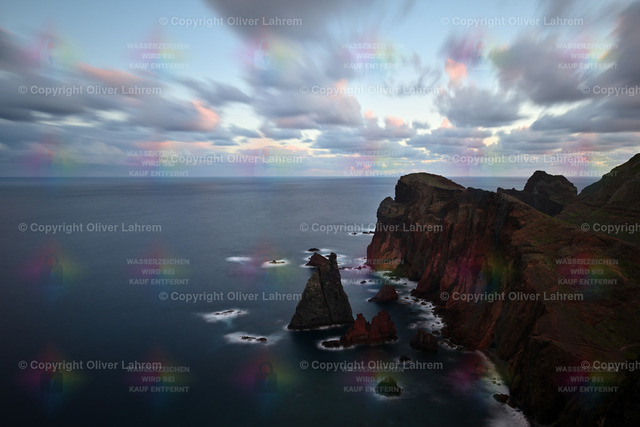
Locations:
(318, 88)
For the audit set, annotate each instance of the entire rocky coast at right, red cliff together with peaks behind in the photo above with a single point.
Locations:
(485, 244)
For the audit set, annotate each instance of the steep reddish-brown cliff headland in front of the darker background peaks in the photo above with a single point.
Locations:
(468, 247)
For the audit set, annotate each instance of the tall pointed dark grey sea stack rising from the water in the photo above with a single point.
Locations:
(323, 302)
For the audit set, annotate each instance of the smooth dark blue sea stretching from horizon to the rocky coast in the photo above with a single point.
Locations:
(78, 297)
